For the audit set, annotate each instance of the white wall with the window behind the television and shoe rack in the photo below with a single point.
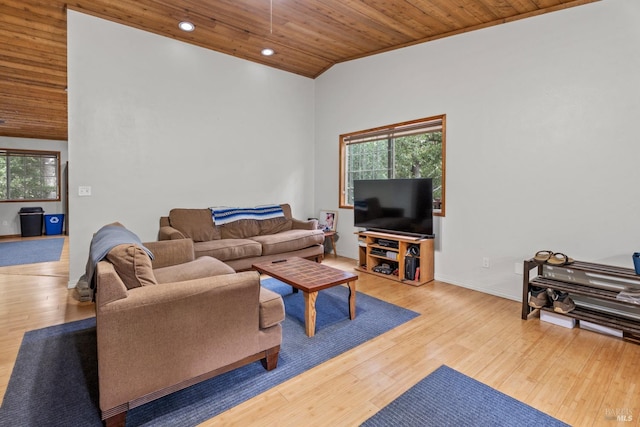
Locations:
(542, 140)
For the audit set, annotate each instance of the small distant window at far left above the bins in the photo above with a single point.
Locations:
(29, 175)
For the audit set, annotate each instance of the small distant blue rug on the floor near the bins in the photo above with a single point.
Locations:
(30, 251)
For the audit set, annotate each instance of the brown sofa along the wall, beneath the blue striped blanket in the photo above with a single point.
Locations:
(242, 243)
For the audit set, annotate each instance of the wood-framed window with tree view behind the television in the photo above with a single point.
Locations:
(414, 149)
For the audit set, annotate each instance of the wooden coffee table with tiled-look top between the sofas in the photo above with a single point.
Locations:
(310, 277)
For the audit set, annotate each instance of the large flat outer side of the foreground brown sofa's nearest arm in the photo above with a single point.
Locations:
(159, 335)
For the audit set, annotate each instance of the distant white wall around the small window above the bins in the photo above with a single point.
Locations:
(9, 218)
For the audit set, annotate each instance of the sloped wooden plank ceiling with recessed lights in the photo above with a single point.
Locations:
(308, 36)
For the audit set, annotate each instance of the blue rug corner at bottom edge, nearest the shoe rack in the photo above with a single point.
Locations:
(448, 398)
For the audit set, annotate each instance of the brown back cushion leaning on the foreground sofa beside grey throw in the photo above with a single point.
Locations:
(133, 265)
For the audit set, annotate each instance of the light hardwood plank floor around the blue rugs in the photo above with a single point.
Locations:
(581, 377)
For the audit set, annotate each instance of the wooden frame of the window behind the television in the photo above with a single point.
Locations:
(342, 191)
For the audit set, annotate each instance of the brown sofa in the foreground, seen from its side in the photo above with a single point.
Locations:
(166, 324)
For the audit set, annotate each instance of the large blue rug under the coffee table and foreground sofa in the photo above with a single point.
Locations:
(54, 381)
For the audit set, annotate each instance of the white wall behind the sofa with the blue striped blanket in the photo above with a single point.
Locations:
(156, 124)
